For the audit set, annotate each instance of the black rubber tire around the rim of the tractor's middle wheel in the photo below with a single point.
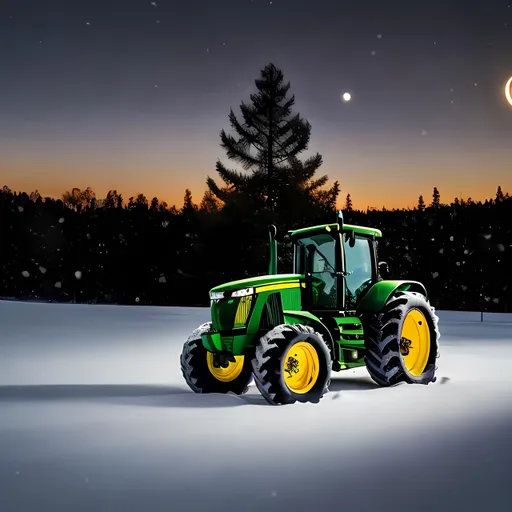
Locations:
(268, 365)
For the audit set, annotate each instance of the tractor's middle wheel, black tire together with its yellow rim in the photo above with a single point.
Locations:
(292, 363)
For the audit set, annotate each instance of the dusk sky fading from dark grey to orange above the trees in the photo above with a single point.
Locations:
(132, 94)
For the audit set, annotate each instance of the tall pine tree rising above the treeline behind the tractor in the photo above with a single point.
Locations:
(267, 143)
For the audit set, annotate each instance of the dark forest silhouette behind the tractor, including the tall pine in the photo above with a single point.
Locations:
(85, 249)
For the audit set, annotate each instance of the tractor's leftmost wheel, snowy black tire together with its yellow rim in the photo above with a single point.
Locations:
(202, 377)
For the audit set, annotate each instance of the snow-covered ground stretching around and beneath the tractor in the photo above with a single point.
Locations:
(95, 416)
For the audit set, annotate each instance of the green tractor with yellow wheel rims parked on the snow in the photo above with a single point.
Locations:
(335, 312)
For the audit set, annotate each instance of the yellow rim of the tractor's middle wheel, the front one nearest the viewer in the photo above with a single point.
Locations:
(301, 367)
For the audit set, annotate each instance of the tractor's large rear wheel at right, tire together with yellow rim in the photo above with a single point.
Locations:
(402, 341)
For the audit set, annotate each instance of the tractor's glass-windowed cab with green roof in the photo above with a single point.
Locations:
(339, 262)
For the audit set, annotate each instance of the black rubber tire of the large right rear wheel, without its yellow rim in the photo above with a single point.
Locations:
(383, 333)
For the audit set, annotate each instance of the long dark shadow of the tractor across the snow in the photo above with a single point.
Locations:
(147, 395)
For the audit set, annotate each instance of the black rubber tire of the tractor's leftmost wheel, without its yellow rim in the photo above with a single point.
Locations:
(198, 376)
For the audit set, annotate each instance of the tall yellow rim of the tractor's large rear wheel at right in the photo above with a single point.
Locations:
(415, 342)
